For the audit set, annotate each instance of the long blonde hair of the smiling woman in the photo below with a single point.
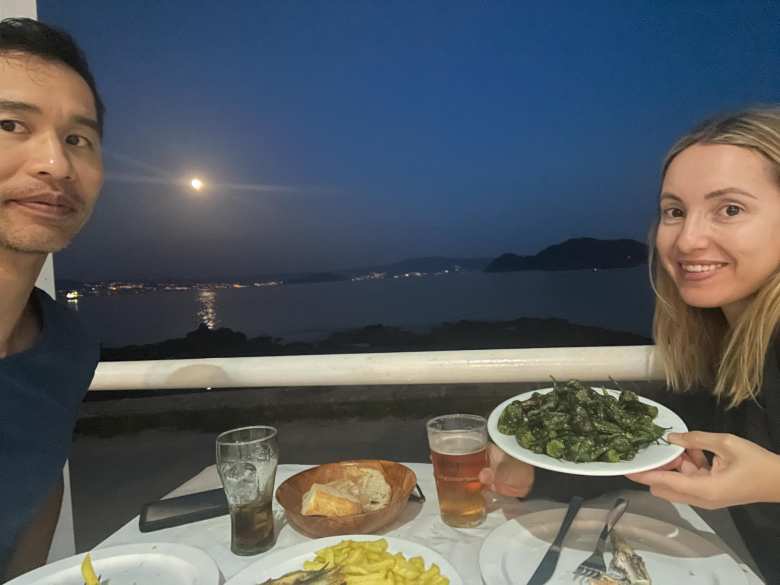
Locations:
(697, 346)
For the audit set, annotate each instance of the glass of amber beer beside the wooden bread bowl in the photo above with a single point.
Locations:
(458, 445)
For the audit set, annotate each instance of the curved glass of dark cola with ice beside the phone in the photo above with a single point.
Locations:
(246, 463)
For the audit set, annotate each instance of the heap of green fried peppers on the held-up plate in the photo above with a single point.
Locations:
(576, 423)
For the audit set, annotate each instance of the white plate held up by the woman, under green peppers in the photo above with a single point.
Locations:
(650, 457)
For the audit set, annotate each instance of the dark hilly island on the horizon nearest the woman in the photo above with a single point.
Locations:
(576, 254)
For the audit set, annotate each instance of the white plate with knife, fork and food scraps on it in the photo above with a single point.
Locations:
(511, 553)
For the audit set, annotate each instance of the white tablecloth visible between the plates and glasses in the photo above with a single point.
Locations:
(419, 522)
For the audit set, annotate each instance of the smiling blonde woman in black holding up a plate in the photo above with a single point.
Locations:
(715, 269)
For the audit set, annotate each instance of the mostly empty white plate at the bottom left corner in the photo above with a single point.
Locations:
(160, 563)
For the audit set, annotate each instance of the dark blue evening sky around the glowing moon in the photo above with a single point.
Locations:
(399, 129)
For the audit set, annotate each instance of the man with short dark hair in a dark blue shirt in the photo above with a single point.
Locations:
(51, 172)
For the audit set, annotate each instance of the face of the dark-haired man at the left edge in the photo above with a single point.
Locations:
(51, 167)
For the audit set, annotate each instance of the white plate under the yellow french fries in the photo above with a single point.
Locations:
(291, 558)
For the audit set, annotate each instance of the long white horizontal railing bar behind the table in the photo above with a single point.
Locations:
(428, 367)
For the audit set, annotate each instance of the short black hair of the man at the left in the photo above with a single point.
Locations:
(51, 44)
